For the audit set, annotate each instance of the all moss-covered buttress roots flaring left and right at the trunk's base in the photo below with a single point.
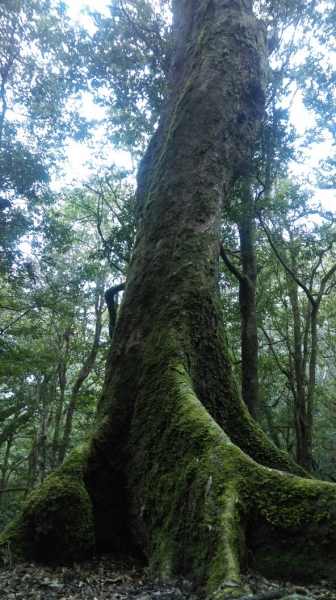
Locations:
(197, 504)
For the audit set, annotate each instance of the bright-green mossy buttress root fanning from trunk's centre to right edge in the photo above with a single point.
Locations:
(203, 506)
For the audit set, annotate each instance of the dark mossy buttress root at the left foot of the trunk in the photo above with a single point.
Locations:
(55, 524)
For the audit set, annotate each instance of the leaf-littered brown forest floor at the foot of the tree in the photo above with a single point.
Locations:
(120, 578)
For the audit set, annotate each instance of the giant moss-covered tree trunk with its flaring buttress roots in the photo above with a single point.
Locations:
(167, 466)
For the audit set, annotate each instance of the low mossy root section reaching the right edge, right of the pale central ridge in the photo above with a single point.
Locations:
(291, 524)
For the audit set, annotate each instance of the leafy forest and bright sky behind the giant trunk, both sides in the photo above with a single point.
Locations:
(62, 247)
